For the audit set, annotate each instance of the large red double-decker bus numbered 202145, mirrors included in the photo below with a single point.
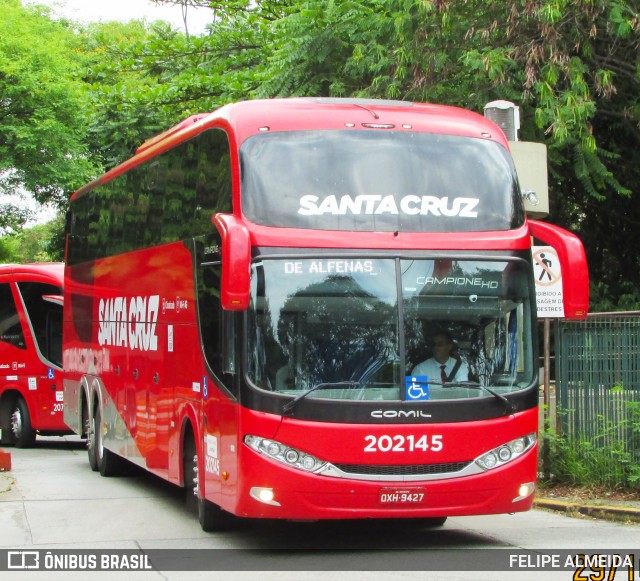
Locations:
(253, 299)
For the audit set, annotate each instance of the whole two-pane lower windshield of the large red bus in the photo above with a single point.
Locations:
(360, 327)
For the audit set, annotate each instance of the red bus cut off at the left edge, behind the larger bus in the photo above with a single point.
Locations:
(31, 397)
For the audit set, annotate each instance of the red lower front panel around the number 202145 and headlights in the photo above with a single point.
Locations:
(309, 496)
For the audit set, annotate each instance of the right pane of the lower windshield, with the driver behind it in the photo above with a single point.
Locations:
(472, 316)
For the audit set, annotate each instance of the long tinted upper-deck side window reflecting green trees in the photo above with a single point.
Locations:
(169, 198)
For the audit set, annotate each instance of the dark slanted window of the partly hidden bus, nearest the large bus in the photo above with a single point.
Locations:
(45, 318)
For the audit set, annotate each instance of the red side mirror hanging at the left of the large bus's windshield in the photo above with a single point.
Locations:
(236, 262)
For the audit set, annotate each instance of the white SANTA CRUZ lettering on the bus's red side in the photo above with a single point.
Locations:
(129, 322)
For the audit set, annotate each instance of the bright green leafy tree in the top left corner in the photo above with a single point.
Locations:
(42, 149)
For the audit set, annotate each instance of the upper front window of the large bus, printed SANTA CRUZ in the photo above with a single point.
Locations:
(384, 181)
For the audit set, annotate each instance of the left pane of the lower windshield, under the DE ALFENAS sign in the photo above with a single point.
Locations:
(325, 321)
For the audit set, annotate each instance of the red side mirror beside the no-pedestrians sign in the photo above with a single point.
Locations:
(573, 262)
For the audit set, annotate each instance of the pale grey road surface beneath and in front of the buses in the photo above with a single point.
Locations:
(52, 504)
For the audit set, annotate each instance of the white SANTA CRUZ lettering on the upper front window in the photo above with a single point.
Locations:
(374, 205)
